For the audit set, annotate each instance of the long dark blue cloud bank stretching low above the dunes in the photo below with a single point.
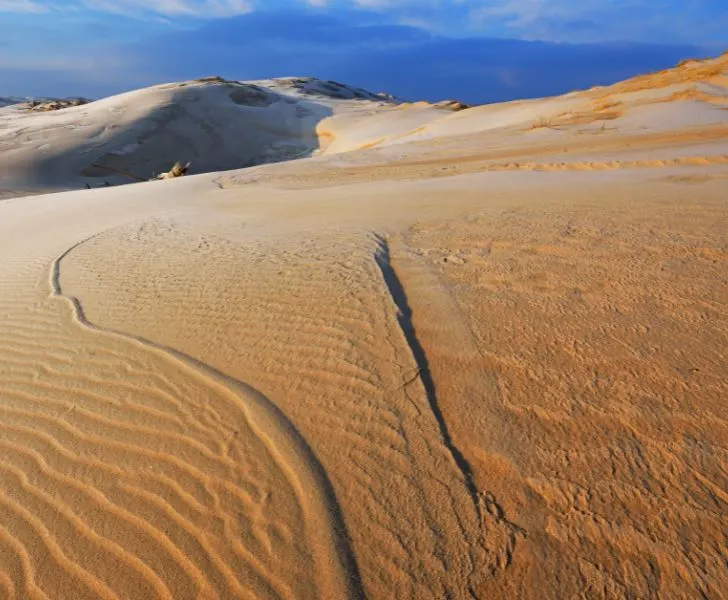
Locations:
(364, 49)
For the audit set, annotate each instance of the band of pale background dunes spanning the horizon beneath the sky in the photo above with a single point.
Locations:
(222, 125)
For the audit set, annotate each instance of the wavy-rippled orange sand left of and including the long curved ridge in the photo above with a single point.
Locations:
(130, 471)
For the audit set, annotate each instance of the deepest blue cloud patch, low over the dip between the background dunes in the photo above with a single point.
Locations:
(489, 70)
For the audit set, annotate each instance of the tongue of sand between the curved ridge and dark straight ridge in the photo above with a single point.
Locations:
(320, 324)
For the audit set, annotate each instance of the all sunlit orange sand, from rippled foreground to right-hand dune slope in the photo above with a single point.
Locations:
(482, 359)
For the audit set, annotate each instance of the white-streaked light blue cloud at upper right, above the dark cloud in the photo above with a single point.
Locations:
(685, 21)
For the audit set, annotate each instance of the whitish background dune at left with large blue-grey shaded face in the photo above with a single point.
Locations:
(213, 123)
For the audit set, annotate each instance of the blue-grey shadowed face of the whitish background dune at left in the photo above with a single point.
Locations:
(214, 125)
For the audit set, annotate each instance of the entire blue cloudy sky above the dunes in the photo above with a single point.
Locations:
(471, 50)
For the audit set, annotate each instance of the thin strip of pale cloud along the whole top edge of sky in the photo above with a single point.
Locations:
(684, 21)
